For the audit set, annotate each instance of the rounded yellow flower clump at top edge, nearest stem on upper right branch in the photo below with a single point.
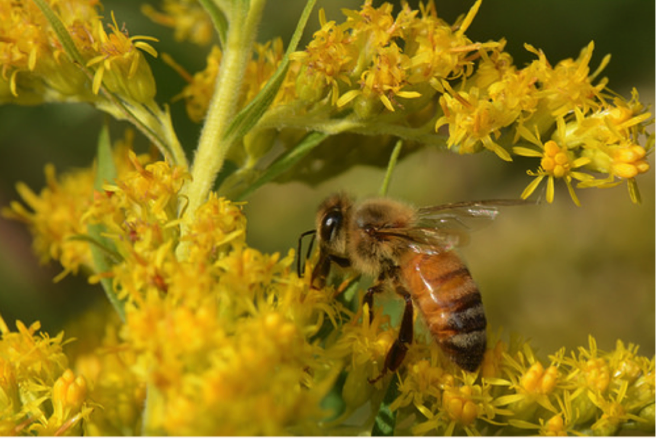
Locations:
(385, 55)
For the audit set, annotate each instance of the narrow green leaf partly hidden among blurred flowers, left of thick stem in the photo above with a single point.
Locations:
(104, 252)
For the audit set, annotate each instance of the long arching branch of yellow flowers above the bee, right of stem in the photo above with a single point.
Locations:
(415, 70)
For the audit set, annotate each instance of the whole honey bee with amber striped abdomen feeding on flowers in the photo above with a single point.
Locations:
(411, 251)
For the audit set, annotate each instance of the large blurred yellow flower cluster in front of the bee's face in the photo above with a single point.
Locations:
(221, 340)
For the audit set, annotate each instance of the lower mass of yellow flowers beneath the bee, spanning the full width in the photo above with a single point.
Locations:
(231, 341)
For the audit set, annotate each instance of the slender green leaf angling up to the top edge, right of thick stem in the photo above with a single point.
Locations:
(253, 112)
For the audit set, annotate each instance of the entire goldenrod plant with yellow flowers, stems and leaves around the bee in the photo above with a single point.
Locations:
(215, 337)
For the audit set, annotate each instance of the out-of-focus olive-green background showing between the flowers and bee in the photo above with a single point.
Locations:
(553, 273)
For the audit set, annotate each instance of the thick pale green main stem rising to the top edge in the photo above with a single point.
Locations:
(212, 149)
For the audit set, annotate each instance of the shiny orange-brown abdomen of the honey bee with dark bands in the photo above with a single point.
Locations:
(450, 303)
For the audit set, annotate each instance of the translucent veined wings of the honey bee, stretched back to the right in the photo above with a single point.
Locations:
(441, 228)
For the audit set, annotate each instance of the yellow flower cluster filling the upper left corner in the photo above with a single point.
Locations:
(36, 67)
